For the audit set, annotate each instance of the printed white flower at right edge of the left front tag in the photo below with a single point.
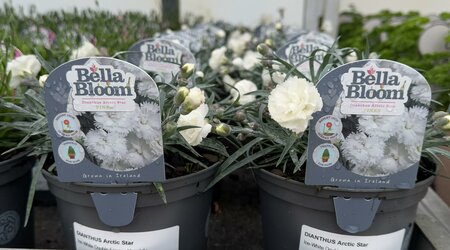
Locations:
(148, 122)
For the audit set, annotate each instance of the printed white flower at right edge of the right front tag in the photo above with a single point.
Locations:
(413, 126)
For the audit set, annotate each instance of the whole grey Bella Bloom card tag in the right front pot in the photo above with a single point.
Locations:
(370, 131)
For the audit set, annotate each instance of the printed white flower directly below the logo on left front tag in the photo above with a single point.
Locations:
(116, 121)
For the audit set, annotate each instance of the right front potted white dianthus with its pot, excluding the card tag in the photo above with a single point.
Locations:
(275, 129)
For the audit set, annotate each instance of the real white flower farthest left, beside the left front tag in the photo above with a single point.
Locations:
(23, 68)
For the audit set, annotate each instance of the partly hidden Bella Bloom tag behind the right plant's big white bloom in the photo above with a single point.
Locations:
(299, 50)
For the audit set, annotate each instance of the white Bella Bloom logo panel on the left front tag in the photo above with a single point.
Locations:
(98, 87)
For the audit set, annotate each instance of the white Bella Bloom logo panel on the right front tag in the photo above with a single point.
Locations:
(371, 90)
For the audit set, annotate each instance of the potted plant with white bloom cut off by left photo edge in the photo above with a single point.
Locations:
(18, 73)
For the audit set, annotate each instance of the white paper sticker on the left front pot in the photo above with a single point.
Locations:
(90, 238)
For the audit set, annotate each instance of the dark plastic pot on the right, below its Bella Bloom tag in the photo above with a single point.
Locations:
(289, 208)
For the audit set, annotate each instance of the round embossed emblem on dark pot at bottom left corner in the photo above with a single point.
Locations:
(9, 226)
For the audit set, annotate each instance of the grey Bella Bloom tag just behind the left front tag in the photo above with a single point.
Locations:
(159, 56)
